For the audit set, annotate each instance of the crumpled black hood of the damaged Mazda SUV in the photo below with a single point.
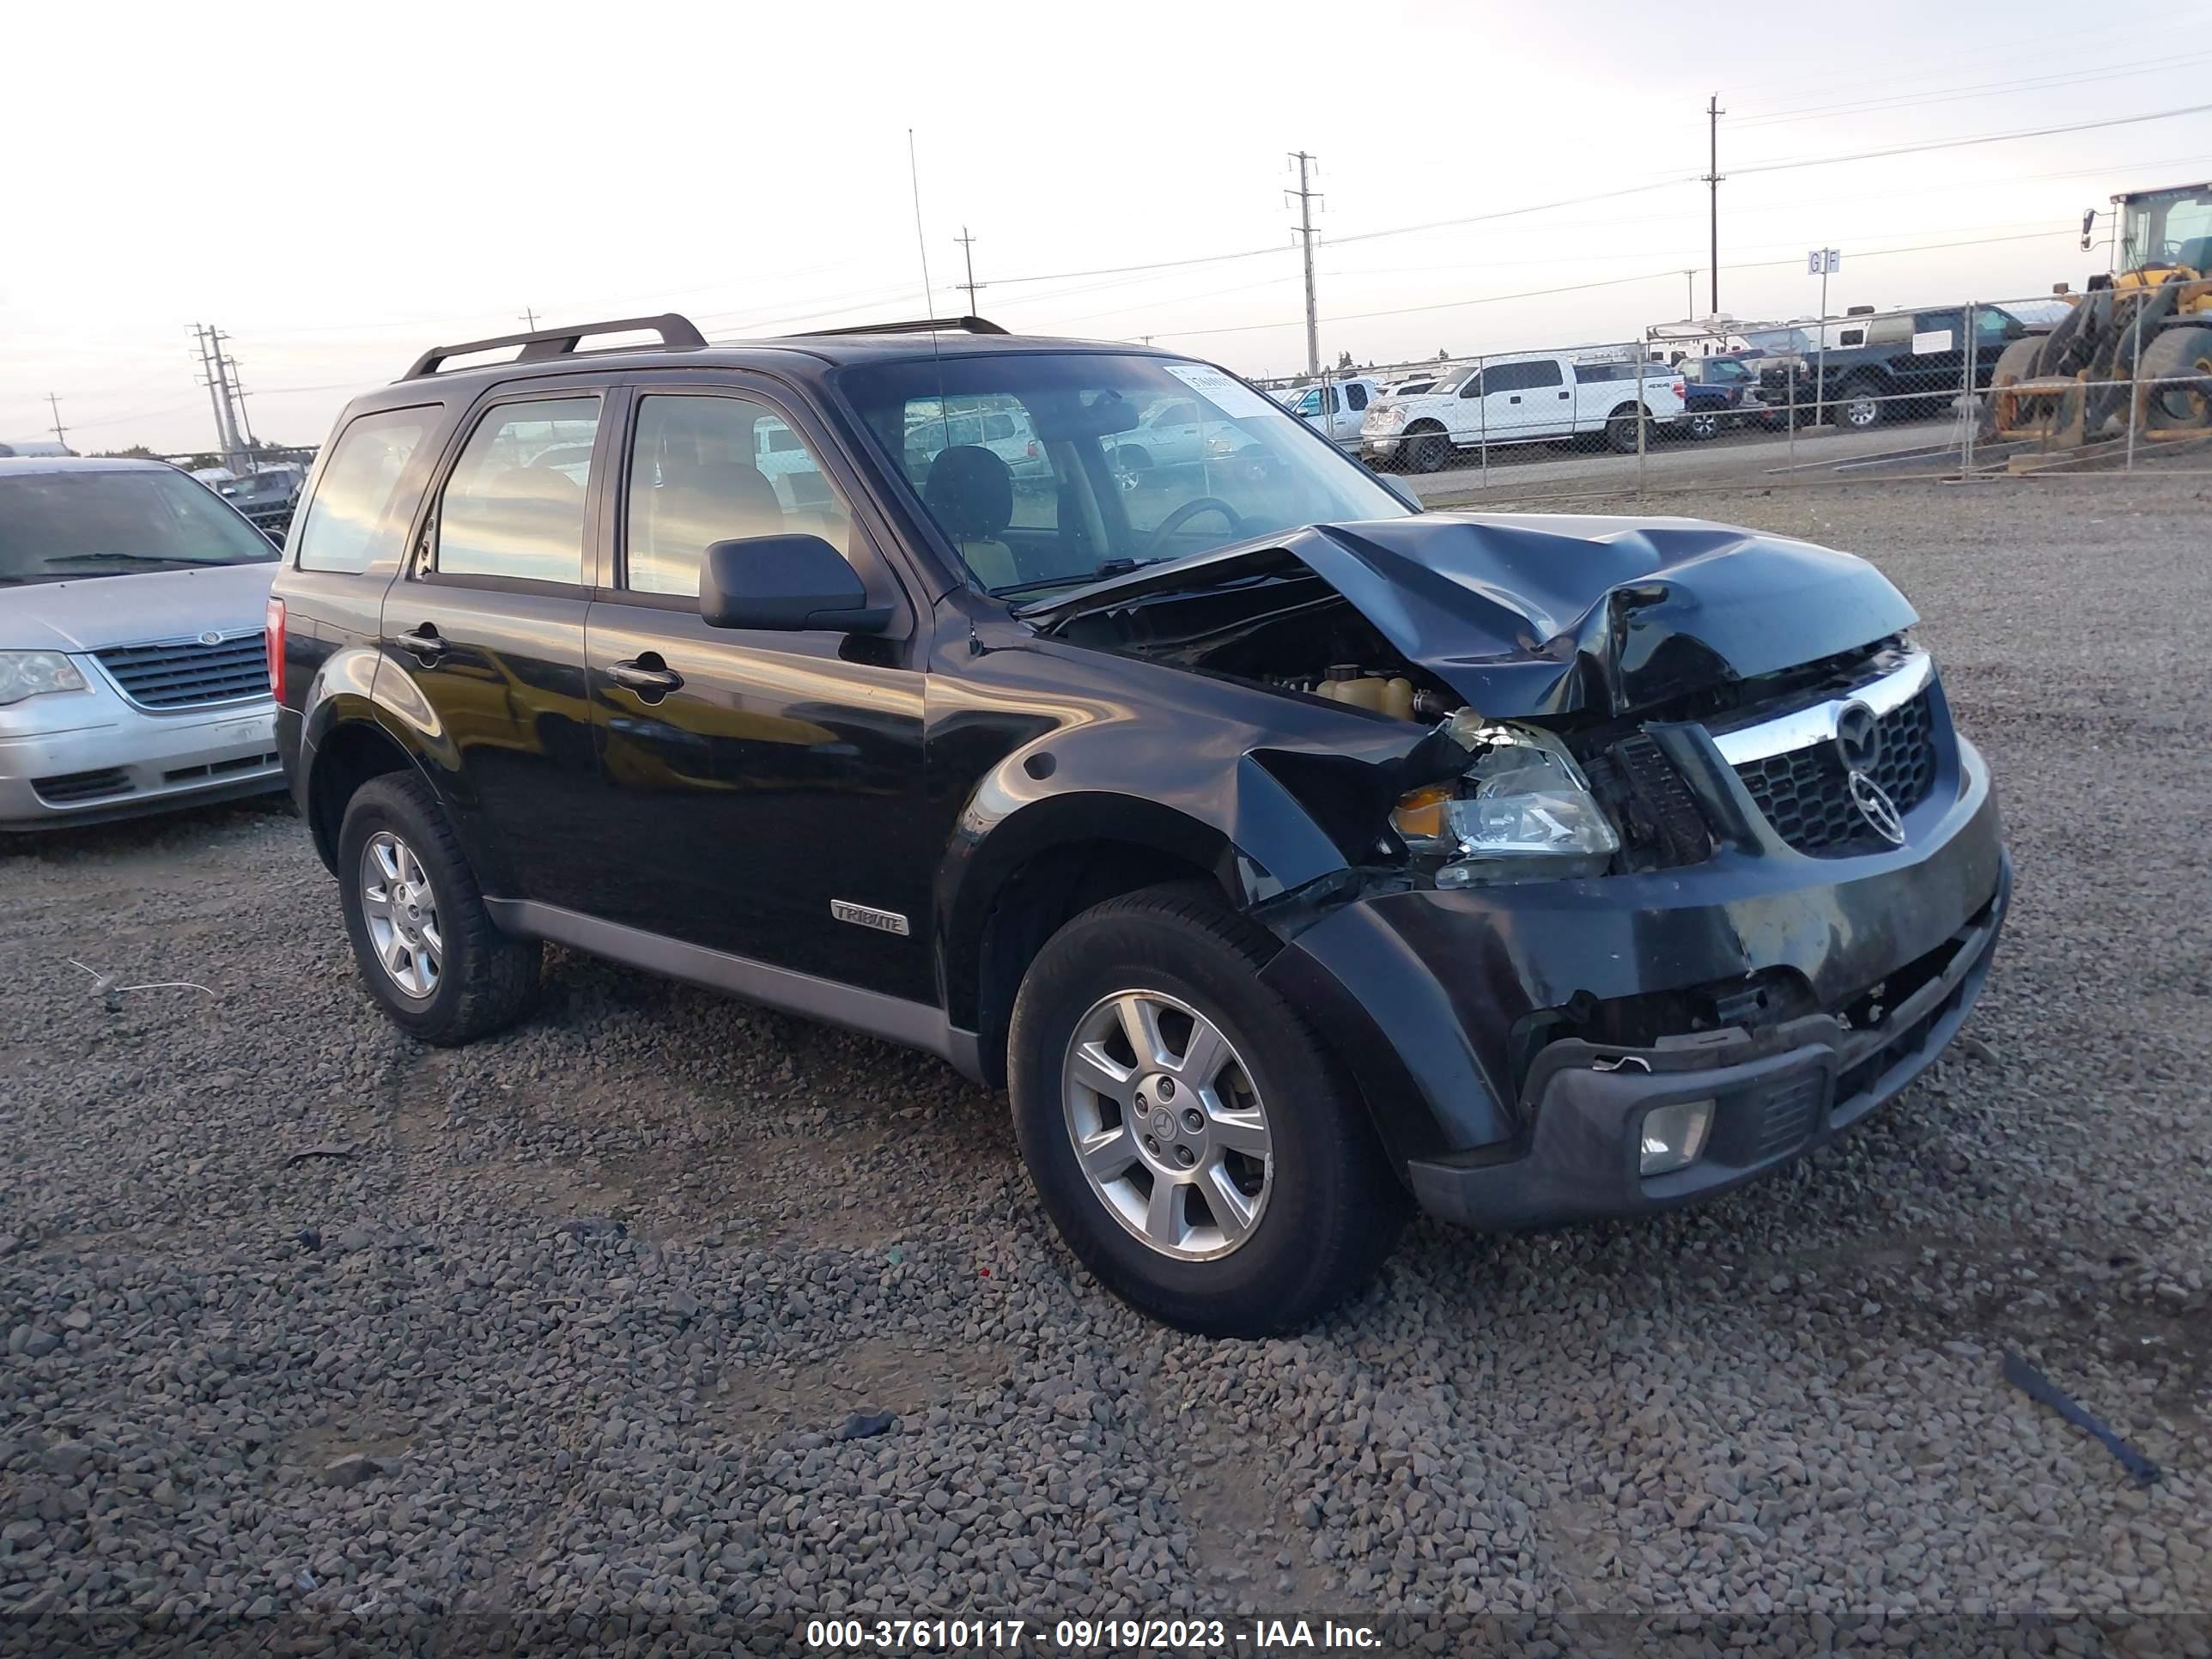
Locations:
(1554, 614)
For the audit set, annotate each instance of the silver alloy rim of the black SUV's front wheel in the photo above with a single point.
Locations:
(1167, 1125)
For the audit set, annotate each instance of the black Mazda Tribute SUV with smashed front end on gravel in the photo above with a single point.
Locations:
(1286, 853)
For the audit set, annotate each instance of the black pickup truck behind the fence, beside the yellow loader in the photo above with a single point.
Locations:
(1897, 366)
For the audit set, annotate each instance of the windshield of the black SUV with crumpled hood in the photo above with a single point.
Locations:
(1054, 468)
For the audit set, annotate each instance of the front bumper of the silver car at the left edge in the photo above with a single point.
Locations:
(114, 762)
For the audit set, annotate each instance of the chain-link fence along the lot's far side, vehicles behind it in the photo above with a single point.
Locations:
(1994, 388)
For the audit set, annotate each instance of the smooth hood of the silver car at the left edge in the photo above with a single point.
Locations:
(98, 612)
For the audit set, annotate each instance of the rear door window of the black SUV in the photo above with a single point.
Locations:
(517, 499)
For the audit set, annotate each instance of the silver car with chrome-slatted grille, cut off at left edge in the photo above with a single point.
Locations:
(132, 658)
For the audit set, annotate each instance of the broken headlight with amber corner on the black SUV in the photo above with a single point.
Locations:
(1521, 813)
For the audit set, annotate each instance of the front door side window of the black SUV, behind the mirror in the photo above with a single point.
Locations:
(718, 470)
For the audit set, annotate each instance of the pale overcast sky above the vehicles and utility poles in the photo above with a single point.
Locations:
(340, 187)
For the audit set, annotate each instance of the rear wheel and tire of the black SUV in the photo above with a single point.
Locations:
(421, 932)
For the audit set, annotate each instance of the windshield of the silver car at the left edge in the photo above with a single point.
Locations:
(70, 525)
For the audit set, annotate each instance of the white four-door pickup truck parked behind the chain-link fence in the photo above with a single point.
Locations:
(1523, 399)
